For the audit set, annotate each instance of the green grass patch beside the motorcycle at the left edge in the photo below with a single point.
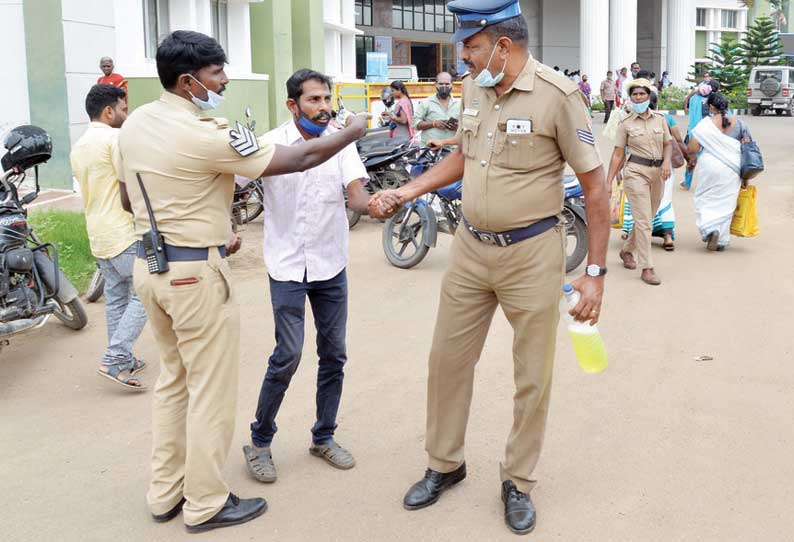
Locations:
(66, 230)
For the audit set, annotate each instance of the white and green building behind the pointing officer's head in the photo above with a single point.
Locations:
(56, 46)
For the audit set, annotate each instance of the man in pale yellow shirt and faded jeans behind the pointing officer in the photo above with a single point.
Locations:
(110, 231)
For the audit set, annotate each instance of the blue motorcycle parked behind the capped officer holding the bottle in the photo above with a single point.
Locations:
(411, 232)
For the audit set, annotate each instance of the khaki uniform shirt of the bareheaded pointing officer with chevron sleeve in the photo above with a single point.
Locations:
(187, 165)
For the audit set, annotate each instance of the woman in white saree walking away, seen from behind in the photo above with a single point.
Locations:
(718, 166)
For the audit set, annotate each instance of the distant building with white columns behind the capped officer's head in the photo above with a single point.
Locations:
(590, 35)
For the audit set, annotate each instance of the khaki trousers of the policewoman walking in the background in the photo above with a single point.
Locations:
(644, 189)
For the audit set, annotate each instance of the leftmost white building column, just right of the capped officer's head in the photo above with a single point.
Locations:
(594, 39)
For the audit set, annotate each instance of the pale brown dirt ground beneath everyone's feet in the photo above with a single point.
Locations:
(659, 447)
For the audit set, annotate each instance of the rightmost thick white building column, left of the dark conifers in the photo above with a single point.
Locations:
(680, 39)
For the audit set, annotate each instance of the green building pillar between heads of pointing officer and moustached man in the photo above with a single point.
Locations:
(271, 52)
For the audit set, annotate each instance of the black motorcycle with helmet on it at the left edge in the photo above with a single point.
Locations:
(32, 285)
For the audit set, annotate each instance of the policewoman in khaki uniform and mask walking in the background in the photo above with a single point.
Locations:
(647, 137)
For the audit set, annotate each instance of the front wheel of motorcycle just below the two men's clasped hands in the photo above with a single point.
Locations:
(404, 240)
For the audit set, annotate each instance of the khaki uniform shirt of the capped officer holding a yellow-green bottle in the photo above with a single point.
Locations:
(516, 146)
